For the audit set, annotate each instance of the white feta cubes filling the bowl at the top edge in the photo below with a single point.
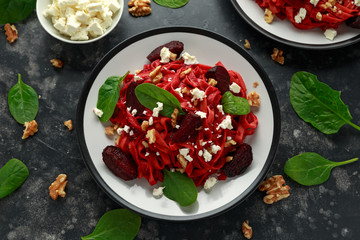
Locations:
(82, 19)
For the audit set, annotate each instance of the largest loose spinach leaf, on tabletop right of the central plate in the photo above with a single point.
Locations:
(318, 104)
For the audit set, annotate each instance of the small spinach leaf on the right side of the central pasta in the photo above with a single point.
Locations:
(235, 105)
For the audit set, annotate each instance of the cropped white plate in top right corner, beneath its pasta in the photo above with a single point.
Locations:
(284, 31)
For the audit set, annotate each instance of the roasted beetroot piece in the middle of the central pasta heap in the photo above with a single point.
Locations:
(187, 128)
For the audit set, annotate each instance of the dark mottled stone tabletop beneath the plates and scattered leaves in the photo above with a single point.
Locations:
(327, 211)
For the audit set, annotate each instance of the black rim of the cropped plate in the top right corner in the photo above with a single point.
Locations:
(329, 46)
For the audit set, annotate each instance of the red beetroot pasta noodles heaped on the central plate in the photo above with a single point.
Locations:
(152, 158)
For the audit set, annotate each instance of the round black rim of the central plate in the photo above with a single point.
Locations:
(95, 174)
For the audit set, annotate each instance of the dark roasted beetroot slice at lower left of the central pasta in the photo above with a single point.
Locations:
(121, 164)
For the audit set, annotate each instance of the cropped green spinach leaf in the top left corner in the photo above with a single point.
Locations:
(12, 11)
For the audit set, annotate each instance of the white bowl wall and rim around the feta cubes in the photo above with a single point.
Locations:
(46, 23)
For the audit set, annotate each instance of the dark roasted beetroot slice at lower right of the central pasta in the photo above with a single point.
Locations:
(240, 162)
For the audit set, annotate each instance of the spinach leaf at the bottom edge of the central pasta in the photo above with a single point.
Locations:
(179, 187)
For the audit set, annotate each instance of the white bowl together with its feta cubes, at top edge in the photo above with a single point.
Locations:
(79, 21)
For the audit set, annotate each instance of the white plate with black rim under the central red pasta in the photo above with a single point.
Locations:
(209, 48)
